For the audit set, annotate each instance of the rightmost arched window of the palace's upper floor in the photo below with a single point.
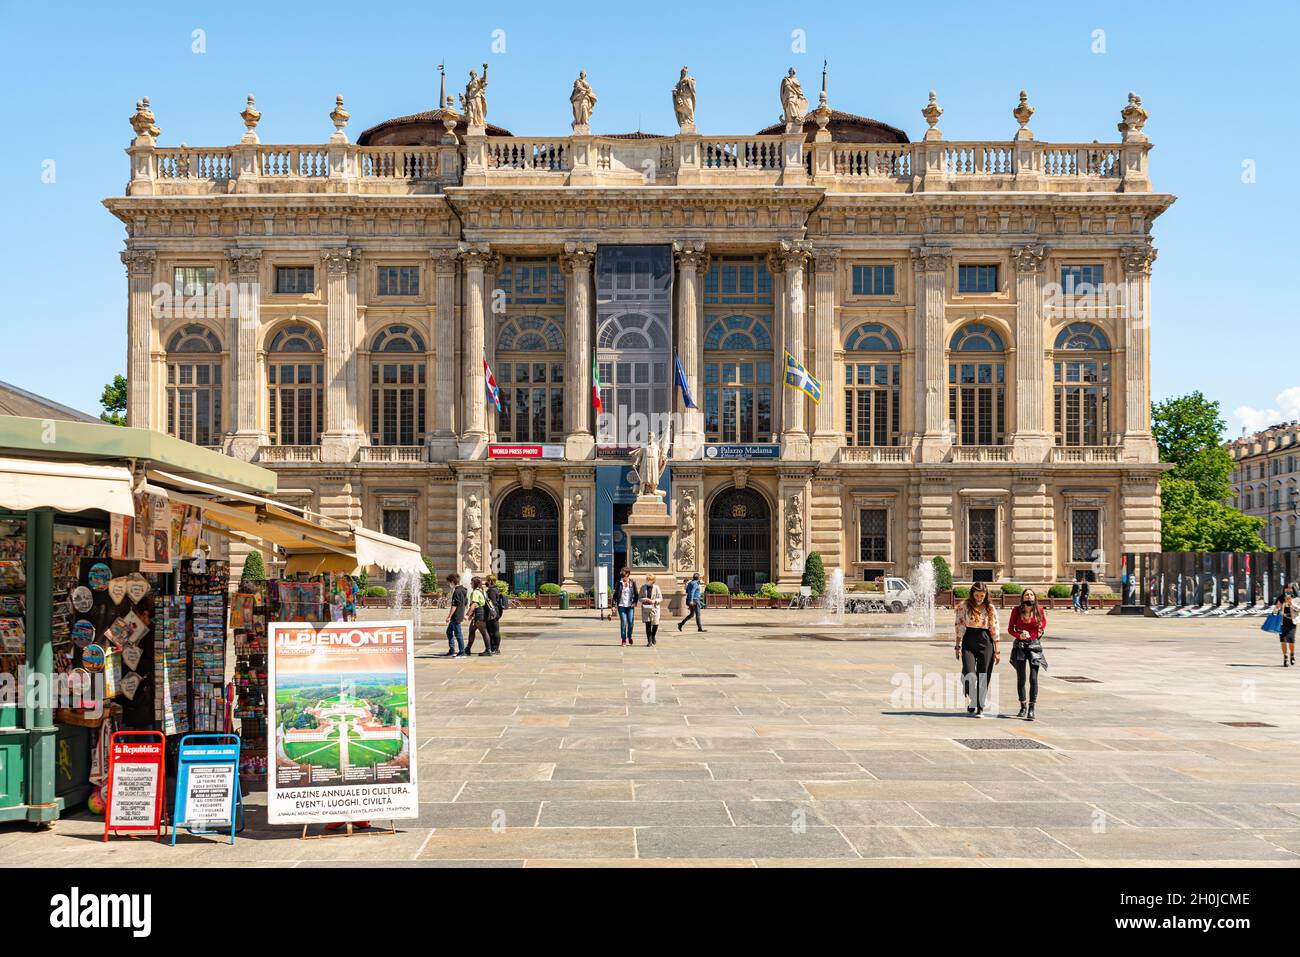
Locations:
(1082, 376)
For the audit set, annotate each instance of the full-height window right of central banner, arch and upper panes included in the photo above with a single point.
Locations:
(739, 350)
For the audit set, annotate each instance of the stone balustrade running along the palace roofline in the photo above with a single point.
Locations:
(686, 159)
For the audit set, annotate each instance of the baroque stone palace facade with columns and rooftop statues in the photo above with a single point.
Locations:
(976, 314)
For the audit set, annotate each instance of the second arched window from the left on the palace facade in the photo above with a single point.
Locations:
(296, 376)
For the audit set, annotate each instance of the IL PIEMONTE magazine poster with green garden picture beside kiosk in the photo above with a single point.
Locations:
(344, 724)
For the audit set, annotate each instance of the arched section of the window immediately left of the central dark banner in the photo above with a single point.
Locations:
(531, 376)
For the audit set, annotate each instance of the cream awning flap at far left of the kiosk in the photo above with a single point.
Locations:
(67, 487)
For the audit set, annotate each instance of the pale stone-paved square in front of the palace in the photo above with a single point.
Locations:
(774, 741)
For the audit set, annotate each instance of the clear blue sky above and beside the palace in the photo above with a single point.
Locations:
(1217, 80)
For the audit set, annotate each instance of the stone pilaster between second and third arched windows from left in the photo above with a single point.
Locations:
(343, 436)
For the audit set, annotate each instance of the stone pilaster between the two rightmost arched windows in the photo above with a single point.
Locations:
(1033, 440)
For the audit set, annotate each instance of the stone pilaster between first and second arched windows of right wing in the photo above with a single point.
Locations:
(930, 272)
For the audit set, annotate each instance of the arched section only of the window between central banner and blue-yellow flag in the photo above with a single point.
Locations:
(739, 379)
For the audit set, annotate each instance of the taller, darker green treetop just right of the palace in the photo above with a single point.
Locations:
(1189, 432)
